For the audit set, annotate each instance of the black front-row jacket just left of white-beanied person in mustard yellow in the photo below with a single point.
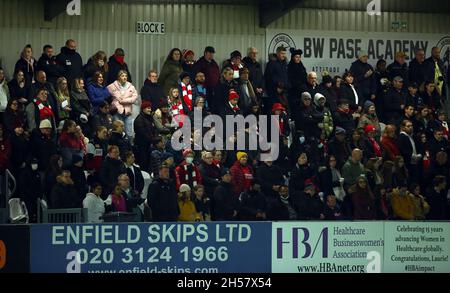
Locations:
(163, 201)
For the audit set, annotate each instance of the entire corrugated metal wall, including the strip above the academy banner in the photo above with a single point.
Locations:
(107, 25)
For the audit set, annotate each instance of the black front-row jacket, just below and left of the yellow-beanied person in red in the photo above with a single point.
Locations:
(224, 203)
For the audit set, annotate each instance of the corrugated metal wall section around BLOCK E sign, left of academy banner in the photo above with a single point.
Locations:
(108, 25)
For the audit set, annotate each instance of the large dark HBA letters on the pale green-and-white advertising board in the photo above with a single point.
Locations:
(301, 243)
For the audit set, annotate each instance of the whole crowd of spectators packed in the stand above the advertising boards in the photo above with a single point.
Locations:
(372, 144)
